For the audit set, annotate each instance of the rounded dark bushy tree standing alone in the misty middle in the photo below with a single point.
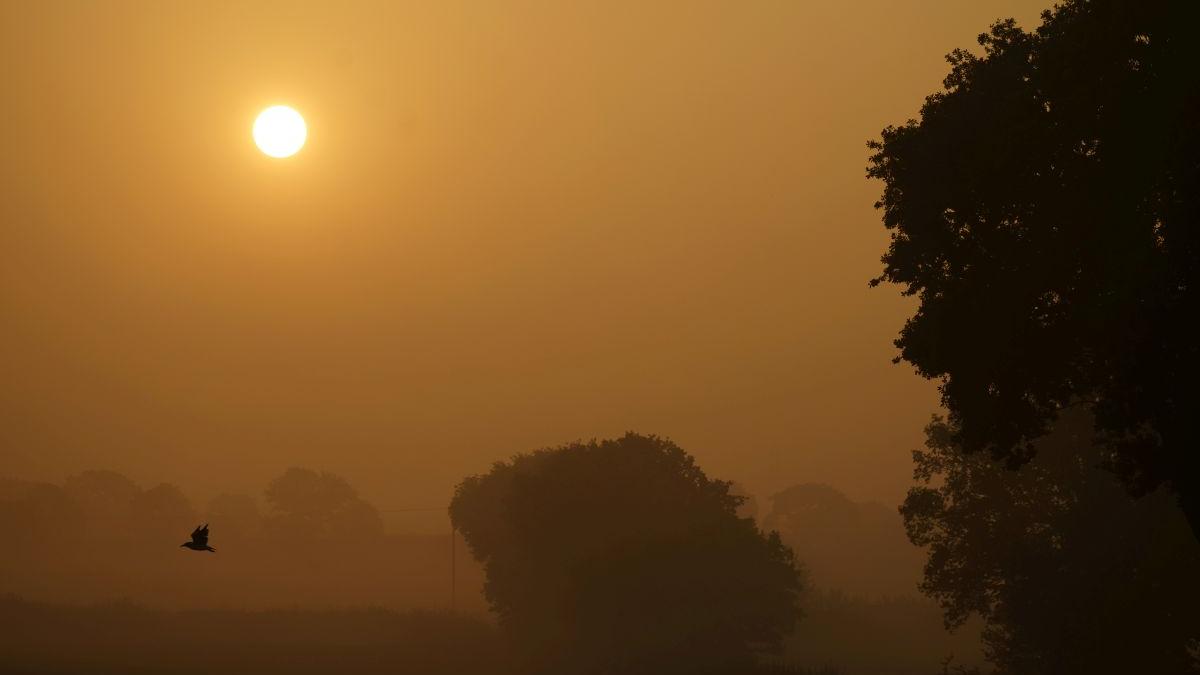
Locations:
(622, 557)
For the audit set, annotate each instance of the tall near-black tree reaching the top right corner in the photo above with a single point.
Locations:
(1045, 210)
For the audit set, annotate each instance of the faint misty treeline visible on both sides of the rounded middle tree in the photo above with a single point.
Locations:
(311, 541)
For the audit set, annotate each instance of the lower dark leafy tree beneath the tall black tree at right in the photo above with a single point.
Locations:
(1070, 572)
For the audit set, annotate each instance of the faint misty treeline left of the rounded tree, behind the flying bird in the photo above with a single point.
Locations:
(317, 545)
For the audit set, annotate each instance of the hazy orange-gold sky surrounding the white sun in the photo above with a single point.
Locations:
(514, 225)
